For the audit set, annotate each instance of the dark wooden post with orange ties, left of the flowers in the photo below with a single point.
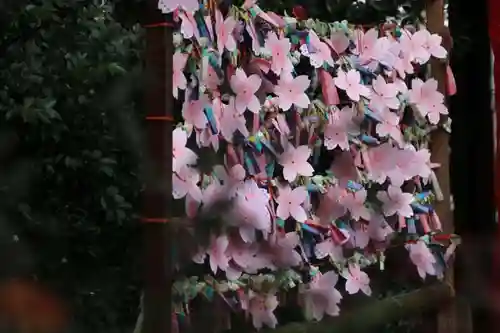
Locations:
(157, 173)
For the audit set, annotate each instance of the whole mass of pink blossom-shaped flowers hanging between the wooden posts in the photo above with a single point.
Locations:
(272, 97)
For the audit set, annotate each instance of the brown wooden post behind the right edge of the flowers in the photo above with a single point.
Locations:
(440, 153)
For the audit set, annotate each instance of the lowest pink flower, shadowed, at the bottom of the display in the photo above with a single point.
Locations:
(261, 308)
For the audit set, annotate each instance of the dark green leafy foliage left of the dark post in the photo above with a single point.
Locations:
(69, 176)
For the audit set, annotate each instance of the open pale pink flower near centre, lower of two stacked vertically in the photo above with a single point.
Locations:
(289, 203)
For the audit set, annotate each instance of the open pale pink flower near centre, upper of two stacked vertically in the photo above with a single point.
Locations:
(294, 162)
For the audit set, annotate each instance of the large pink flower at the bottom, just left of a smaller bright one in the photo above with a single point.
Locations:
(321, 296)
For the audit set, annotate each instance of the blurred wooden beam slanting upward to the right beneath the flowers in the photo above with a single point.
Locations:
(377, 313)
